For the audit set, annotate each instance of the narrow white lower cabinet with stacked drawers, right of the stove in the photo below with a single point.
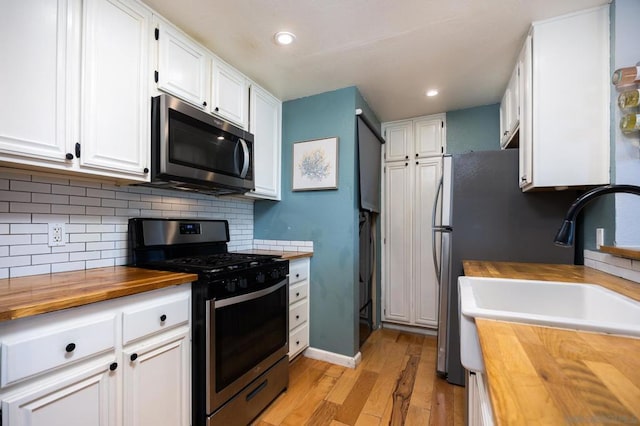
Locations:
(298, 306)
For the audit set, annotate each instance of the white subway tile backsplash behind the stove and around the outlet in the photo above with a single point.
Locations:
(96, 217)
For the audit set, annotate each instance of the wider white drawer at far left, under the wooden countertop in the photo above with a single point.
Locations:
(44, 349)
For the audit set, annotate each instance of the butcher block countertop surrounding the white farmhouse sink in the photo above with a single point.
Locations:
(551, 376)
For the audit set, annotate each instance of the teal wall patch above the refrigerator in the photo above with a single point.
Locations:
(473, 129)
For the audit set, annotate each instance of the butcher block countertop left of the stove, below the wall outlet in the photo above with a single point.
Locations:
(39, 294)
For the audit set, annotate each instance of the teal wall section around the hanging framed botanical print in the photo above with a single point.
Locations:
(328, 218)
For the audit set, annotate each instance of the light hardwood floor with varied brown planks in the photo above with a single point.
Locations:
(395, 384)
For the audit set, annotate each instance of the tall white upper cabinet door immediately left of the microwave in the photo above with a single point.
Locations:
(115, 119)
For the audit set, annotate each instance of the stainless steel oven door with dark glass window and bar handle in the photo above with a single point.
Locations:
(247, 334)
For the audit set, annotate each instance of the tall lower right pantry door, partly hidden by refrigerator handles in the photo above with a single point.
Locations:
(425, 299)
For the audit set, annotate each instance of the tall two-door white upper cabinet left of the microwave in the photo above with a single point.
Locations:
(75, 76)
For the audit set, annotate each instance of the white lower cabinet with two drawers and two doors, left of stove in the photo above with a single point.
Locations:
(72, 367)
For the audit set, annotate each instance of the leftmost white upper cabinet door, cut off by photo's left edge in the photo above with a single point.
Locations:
(38, 55)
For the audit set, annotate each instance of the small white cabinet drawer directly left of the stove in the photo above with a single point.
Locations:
(155, 317)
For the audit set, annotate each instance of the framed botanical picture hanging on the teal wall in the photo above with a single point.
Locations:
(315, 165)
